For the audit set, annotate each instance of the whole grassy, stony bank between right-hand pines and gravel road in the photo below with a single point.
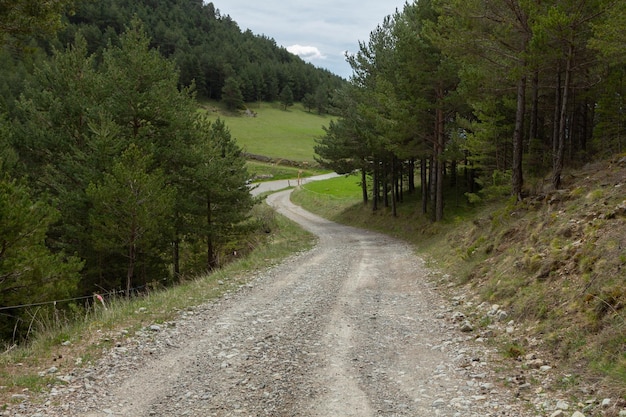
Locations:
(556, 264)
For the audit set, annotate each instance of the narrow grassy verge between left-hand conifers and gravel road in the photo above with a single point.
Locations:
(64, 345)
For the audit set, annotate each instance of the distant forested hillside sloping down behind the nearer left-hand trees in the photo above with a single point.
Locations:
(208, 47)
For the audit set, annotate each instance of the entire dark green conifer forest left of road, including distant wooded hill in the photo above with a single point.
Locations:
(111, 181)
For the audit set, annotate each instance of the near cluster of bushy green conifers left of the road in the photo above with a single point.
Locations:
(135, 175)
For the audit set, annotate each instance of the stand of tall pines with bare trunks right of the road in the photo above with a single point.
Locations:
(498, 97)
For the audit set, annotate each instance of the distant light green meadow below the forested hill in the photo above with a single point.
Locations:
(274, 132)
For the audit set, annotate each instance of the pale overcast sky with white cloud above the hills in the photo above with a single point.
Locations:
(320, 31)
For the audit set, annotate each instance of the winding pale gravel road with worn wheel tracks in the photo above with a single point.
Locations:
(352, 327)
